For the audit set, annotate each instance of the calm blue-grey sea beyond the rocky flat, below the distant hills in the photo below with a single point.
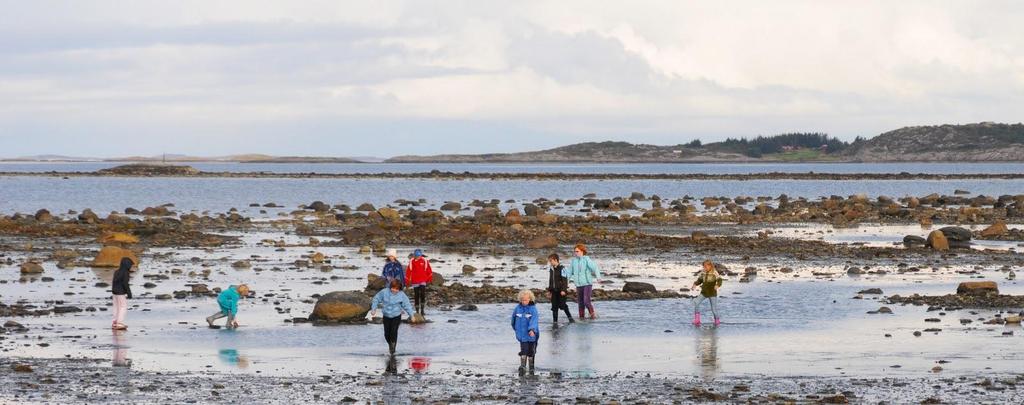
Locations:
(104, 195)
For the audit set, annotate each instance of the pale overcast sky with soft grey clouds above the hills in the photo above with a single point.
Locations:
(388, 78)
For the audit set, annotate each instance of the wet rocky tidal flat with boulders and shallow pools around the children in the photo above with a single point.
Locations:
(827, 300)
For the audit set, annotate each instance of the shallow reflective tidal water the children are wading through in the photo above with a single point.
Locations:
(777, 326)
